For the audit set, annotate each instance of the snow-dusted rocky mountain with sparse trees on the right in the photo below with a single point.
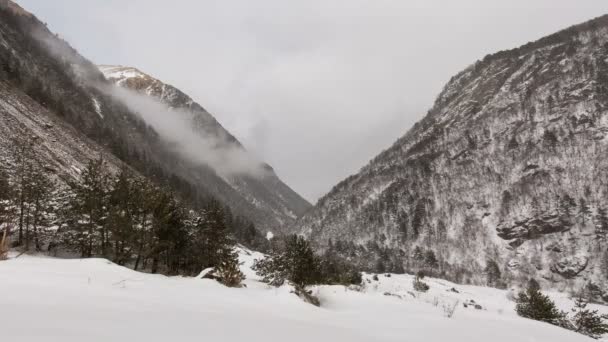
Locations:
(507, 169)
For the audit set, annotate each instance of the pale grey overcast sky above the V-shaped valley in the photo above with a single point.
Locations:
(316, 88)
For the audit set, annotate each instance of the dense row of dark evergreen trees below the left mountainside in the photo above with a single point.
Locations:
(120, 216)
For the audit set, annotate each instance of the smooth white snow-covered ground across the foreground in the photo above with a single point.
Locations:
(94, 300)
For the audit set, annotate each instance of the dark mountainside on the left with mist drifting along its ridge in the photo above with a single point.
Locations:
(59, 100)
